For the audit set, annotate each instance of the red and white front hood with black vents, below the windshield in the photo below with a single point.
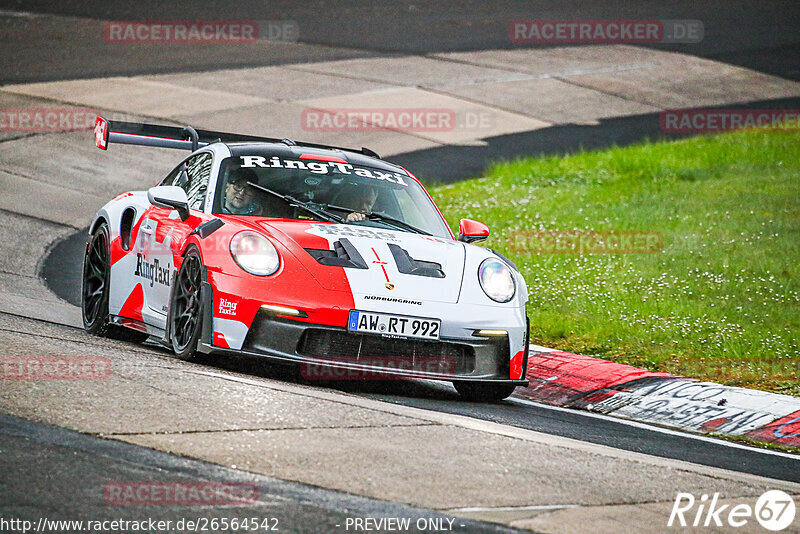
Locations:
(379, 264)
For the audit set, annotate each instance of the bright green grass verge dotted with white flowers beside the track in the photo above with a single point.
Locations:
(720, 301)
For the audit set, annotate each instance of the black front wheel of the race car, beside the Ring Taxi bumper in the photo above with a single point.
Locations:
(185, 307)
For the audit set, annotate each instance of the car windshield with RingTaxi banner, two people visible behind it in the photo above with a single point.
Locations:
(273, 186)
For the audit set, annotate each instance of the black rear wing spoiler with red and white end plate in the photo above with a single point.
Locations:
(186, 138)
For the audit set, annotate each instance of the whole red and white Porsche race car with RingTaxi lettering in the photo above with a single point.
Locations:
(320, 256)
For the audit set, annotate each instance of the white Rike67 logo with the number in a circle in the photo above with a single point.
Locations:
(775, 510)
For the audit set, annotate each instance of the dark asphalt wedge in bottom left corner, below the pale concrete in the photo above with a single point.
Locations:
(70, 456)
